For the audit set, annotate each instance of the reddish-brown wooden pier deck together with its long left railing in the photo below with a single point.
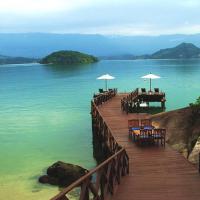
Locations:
(132, 172)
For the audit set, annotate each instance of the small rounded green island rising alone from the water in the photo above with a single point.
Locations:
(68, 58)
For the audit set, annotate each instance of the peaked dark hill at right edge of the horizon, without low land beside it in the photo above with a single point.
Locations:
(184, 50)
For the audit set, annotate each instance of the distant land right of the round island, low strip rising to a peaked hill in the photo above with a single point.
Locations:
(182, 51)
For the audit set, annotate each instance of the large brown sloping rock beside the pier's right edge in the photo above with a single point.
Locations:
(183, 131)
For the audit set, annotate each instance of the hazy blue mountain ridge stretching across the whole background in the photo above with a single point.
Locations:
(39, 45)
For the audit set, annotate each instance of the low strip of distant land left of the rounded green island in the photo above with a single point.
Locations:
(16, 60)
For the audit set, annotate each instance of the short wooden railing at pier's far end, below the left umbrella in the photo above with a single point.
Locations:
(101, 98)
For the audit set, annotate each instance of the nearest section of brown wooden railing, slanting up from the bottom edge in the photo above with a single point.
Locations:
(100, 182)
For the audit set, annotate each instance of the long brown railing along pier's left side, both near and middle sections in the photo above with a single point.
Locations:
(102, 181)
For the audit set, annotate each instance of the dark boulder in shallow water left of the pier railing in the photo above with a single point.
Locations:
(62, 174)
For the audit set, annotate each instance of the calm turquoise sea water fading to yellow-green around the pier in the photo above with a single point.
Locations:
(44, 114)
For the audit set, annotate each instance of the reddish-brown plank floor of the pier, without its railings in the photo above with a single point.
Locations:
(155, 172)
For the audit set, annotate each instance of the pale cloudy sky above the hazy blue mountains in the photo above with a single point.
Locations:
(108, 17)
